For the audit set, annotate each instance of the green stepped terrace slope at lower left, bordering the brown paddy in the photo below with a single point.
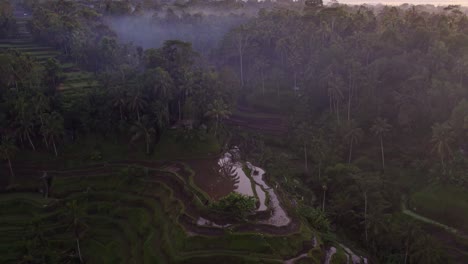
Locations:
(143, 212)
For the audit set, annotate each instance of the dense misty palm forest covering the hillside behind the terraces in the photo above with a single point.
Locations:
(374, 99)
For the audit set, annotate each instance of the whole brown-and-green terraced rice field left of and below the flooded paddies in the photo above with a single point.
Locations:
(138, 213)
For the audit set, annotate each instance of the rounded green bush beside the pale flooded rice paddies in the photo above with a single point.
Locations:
(235, 205)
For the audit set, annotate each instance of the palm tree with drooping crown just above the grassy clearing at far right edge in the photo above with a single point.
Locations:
(442, 138)
